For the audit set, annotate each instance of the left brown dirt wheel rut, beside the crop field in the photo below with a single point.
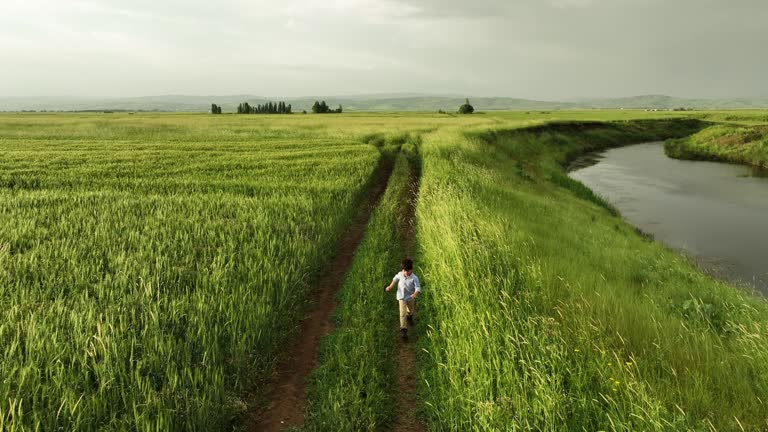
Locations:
(287, 387)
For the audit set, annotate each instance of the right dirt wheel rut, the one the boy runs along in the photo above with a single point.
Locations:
(407, 420)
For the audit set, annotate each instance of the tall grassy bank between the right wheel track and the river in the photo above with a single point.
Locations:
(546, 312)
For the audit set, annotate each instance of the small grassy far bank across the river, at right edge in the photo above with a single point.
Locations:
(746, 145)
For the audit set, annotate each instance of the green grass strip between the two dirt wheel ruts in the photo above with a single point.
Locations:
(352, 389)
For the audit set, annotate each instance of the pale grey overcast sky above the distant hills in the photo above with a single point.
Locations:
(538, 49)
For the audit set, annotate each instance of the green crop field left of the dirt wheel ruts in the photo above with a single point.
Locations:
(148, 283)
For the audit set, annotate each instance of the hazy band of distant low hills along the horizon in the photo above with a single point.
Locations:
(380, 102)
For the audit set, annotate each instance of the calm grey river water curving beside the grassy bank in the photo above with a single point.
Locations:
(716, 212)
